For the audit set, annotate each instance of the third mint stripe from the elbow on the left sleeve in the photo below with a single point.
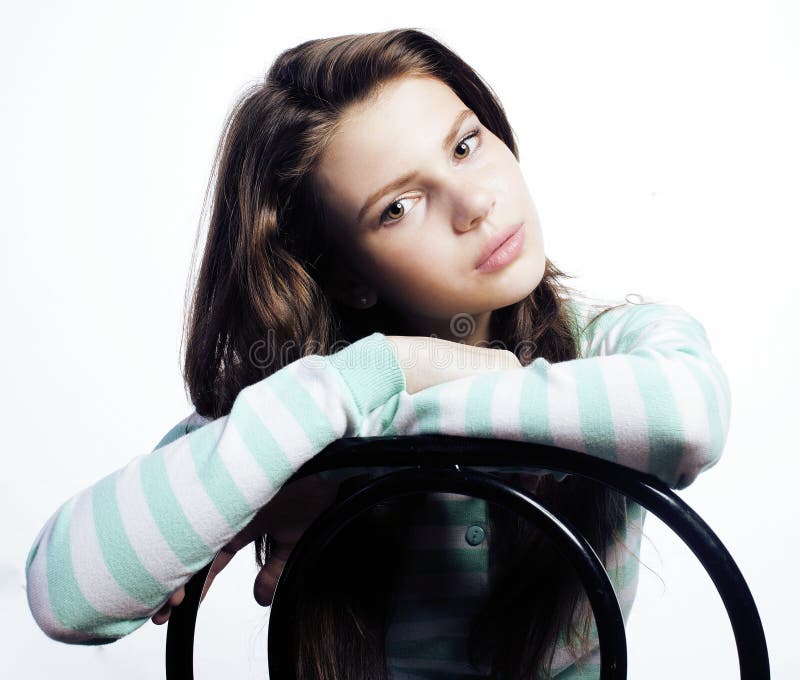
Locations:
(168, 514)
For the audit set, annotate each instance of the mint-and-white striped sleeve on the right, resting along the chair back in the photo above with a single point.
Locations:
(646, 392)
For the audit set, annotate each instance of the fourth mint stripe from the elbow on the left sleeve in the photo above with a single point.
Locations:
(216, 479)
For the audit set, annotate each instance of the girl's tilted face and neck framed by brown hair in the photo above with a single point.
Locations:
(416, 190)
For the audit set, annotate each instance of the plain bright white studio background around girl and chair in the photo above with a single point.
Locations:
(661, 144)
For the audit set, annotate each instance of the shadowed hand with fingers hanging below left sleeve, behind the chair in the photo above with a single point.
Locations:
(285, 517)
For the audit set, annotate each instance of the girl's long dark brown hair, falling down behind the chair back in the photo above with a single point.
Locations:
(262, 281)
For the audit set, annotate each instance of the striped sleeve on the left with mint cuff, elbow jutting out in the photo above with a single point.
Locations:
(111, 555)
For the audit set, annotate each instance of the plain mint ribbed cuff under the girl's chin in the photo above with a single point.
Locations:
(371, 370)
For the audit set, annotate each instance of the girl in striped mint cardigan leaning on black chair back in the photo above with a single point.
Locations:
(374, 265)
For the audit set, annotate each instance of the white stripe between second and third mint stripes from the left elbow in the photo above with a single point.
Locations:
(149, 545)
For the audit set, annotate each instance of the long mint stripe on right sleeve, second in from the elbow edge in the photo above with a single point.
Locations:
(665, 429)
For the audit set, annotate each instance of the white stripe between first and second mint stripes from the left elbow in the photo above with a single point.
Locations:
(97, 584)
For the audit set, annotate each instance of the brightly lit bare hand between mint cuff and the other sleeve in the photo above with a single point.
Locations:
(428, 361)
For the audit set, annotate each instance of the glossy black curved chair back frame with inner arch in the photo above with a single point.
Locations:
(432, 463)
